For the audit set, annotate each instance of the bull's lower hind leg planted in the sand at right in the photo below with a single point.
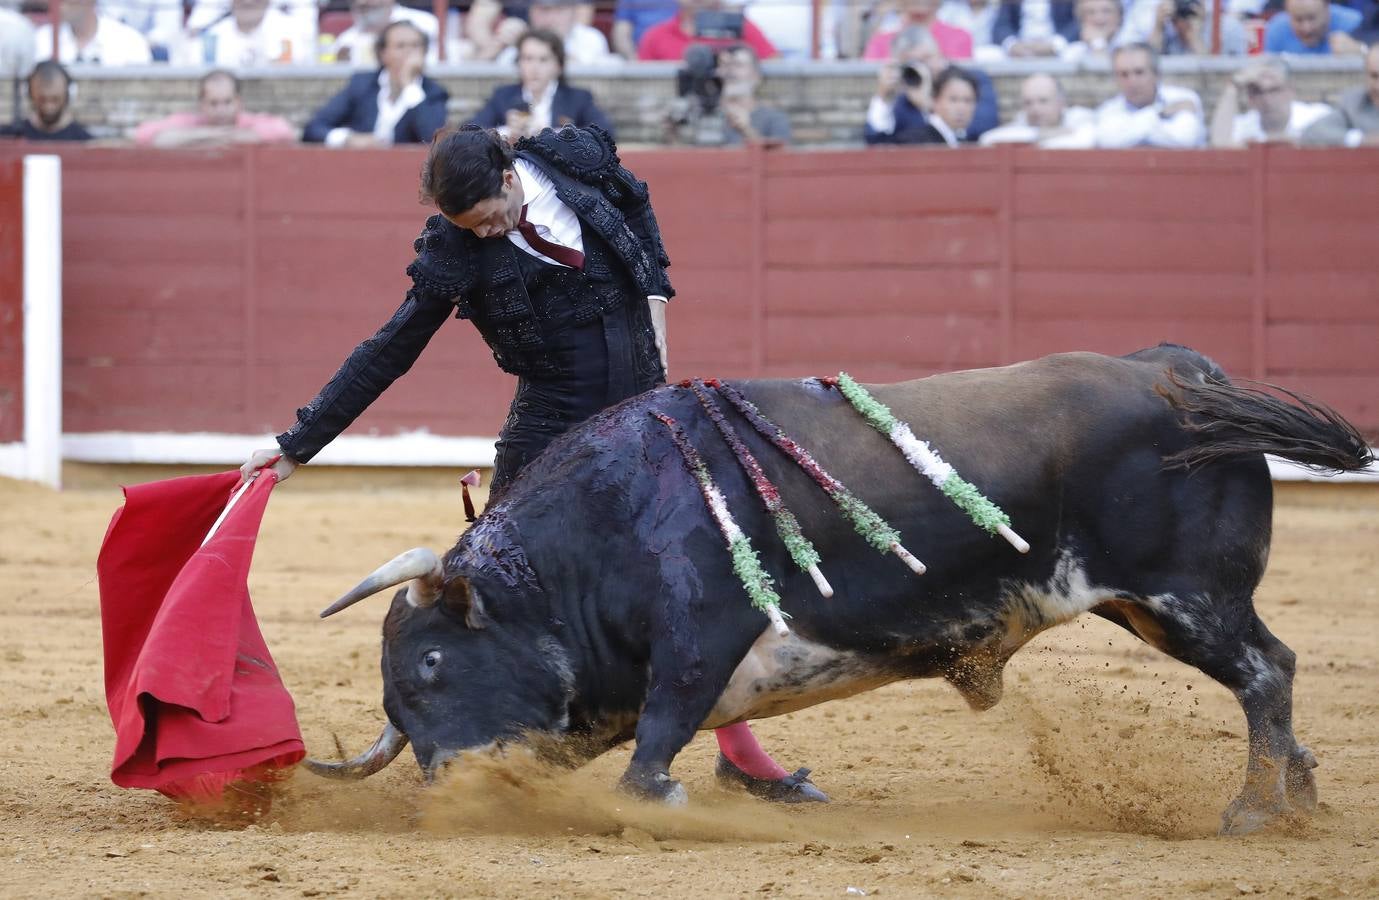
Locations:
(1232, 646)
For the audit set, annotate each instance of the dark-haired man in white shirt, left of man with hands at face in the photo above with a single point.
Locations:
(1147, 114)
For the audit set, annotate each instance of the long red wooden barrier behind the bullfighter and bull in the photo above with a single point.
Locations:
(219, 292)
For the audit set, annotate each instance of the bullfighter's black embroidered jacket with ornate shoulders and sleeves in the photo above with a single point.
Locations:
(459, 274)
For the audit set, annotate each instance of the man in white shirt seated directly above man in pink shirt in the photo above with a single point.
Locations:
(253, 35)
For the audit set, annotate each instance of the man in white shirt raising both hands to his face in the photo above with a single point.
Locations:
(1274, 115)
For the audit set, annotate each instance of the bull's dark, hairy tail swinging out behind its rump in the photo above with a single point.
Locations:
(1232, 421)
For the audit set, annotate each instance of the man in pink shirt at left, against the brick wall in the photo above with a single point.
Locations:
(220, 121)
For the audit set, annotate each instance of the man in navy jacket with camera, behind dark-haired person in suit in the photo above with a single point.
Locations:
(900, 110)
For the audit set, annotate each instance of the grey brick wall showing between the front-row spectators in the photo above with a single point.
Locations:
(827, 101)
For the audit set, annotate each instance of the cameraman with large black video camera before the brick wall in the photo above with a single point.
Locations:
(718, 104)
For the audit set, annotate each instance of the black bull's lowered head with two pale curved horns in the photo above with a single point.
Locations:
(454, 676)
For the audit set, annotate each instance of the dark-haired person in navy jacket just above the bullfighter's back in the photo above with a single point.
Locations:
(541, 99)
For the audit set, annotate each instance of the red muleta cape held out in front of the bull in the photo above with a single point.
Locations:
(197, 701)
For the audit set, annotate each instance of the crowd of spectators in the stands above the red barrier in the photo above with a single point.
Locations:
(932, 88)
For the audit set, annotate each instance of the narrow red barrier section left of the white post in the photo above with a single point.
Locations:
(12, 300)
